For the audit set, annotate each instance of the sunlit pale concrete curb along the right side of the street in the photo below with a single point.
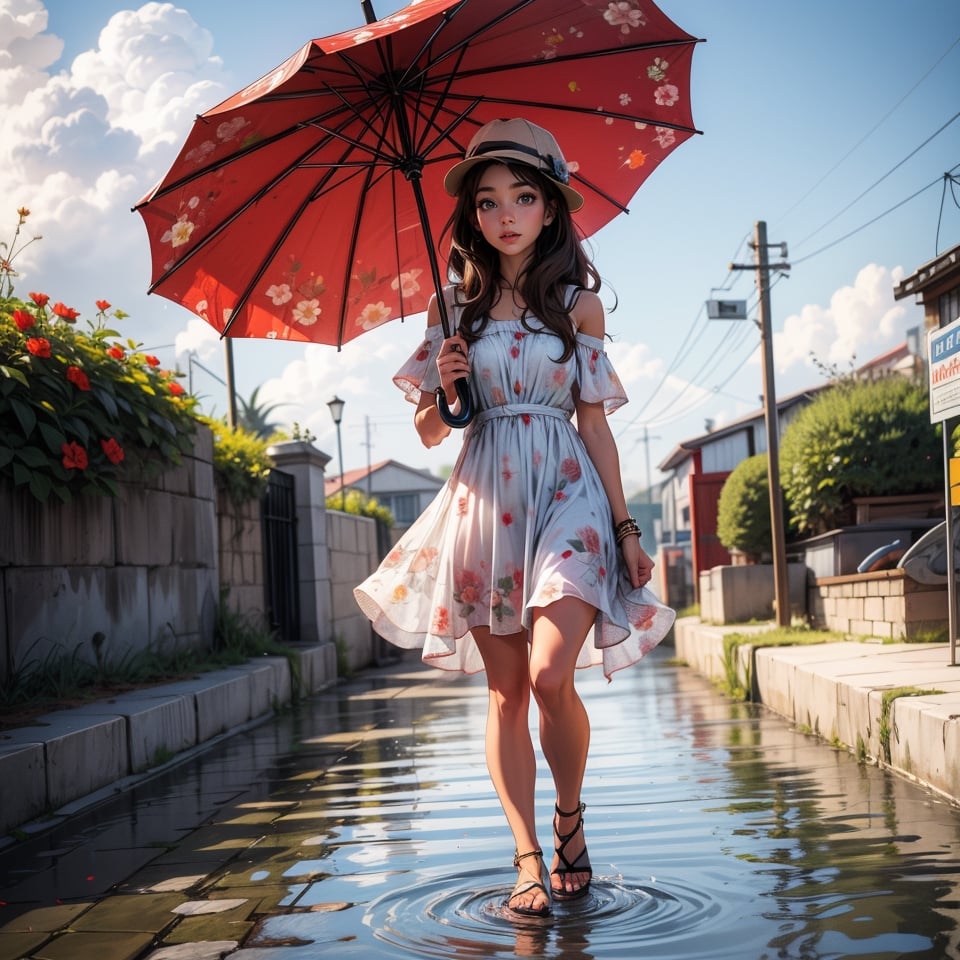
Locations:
(843, 692)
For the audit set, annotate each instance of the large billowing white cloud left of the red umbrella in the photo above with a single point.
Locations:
(81, 146)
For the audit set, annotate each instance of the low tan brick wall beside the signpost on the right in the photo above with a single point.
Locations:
(886, 604)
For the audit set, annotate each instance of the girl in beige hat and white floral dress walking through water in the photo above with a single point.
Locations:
(527, 564)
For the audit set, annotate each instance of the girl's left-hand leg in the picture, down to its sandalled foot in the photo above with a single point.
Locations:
(509, 748)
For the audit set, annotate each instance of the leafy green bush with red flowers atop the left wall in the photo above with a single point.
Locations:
(81, 409)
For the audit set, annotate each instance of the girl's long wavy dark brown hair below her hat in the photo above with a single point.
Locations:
(558, 261)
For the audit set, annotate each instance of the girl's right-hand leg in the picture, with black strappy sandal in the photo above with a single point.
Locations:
(558, 634)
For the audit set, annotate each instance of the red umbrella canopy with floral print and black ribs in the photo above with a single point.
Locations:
(309, 205)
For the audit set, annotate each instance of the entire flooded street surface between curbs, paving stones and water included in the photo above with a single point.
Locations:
(364, 825)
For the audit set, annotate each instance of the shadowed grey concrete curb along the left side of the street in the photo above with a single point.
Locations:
(71, 757)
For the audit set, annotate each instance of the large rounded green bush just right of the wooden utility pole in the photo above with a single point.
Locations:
(858, 439)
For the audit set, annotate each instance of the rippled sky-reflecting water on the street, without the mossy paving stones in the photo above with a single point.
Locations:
(716, 832)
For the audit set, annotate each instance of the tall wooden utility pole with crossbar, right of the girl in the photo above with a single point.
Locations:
(771, 417)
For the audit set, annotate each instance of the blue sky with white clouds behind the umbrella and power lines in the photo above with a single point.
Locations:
(816, 118)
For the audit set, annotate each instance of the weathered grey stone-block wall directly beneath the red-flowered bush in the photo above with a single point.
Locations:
(102, 578)
